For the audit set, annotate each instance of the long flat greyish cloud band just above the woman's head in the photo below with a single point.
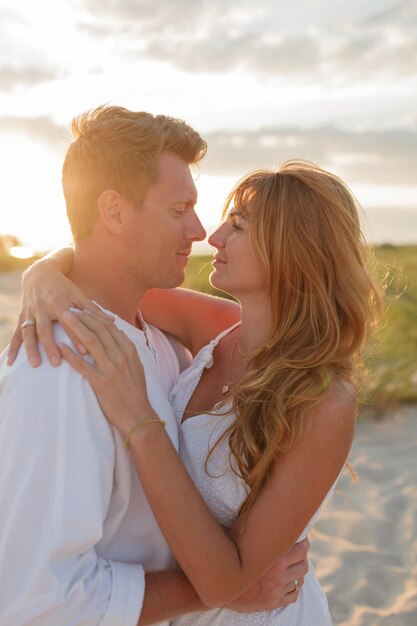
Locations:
(388, 157)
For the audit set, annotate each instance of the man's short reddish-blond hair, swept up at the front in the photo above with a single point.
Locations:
(114, 148)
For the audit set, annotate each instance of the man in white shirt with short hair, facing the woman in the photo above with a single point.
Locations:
(76, 532)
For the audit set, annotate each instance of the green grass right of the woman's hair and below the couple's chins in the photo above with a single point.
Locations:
(391, 357)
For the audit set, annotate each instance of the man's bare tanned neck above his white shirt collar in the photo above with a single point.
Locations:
(104, 280)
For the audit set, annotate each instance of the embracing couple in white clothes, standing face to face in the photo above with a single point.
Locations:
(102, 521)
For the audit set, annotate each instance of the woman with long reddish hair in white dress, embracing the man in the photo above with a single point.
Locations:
(267, 409)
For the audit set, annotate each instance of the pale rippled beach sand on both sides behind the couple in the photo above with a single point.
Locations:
(364, 547)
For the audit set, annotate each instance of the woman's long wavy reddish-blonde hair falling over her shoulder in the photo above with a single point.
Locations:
(305, 228)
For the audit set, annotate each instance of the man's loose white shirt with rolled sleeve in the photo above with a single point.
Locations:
(76, 530)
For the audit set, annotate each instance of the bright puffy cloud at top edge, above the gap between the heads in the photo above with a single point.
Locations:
(197, 35)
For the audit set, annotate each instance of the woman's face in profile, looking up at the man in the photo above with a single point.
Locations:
(237, 269)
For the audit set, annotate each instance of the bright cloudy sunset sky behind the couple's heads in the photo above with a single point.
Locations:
(263, 82)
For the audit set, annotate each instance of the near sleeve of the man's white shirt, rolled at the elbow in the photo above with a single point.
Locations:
(57, 457)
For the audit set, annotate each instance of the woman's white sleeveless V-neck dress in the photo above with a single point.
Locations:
(224, 492)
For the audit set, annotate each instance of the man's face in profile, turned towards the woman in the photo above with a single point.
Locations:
(164, 229)
